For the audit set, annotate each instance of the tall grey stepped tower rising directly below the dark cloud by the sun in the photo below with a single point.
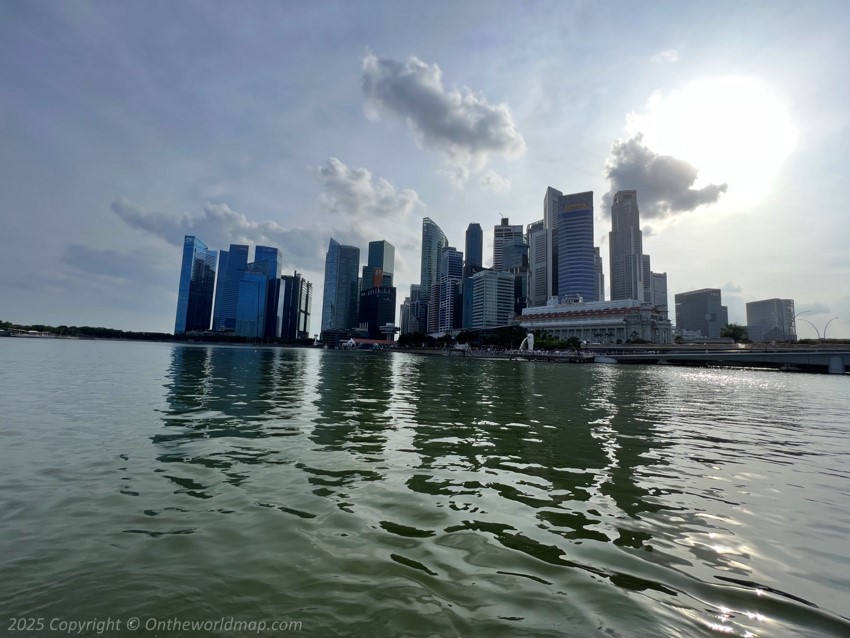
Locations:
(625, 243)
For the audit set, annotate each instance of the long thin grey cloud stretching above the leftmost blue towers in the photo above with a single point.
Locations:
(219, 226)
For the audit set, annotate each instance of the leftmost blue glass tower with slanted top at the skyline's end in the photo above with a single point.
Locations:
(197, 280)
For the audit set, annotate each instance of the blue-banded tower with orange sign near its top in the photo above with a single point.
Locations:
(576, 268)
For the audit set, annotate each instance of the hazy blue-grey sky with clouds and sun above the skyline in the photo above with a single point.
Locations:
(126, 125)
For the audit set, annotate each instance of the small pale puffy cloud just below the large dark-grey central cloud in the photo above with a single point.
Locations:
(353, 191)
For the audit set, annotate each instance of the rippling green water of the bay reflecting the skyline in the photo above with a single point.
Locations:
(388, 494)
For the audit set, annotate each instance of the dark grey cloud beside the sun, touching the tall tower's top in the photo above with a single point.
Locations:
(664, 184)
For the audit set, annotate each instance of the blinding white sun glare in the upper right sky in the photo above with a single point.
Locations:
(734, 130)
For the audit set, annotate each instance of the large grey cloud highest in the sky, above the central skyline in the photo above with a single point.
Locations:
(459, 123)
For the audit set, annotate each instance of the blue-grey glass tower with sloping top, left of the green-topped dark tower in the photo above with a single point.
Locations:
(339, 300)
